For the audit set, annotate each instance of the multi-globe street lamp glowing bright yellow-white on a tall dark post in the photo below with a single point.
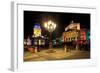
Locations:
(50, 26)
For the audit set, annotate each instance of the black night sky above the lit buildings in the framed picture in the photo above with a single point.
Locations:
(61, 19)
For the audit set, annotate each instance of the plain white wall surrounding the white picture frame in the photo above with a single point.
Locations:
(5, 33)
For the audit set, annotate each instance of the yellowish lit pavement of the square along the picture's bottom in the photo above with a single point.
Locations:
(58, 54)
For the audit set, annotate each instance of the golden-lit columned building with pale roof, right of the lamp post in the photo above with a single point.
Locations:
(71, 35)
